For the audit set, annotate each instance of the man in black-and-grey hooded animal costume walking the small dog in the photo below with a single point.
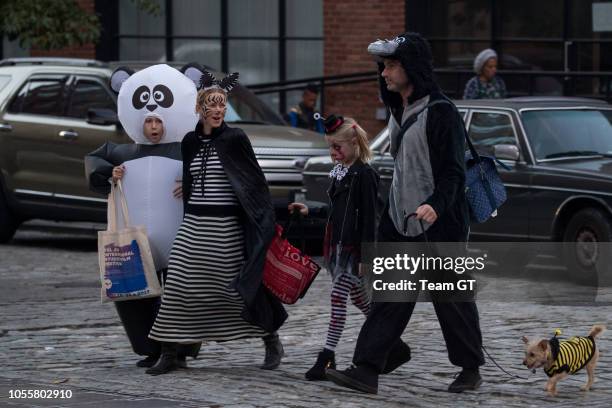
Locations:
(428, 180)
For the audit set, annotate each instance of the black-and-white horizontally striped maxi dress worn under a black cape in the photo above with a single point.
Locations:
(207, 254)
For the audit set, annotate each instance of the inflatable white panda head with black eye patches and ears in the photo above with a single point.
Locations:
(158, 91)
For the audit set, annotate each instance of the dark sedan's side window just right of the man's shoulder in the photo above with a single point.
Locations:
(488, 129)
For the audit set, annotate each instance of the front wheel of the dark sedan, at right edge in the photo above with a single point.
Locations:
(587, 246)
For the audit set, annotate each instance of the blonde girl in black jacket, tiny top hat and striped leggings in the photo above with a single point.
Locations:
(351, 222)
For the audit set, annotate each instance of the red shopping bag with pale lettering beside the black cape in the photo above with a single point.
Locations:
(287, 272)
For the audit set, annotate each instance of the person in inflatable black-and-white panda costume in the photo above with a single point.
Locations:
(155, 107)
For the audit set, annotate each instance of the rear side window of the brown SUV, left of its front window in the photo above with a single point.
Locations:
(40, 96)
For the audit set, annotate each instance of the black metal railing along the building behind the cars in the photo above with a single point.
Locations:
(452, 81)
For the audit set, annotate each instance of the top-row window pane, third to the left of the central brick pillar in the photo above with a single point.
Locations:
(196, 17)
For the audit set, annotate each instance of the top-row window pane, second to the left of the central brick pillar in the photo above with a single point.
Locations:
(253, 18)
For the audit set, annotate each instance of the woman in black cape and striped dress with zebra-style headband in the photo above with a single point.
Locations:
(214, 289)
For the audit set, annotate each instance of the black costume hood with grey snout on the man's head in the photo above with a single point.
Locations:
(414, 54)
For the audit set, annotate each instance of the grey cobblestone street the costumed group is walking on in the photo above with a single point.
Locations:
(55, 334)
